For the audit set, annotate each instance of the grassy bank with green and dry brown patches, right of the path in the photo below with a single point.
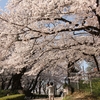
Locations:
(85, 92)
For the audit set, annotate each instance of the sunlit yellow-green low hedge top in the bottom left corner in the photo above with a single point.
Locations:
(13, 97)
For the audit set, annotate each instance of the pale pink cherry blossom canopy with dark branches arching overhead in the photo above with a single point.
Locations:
(49, 35)
